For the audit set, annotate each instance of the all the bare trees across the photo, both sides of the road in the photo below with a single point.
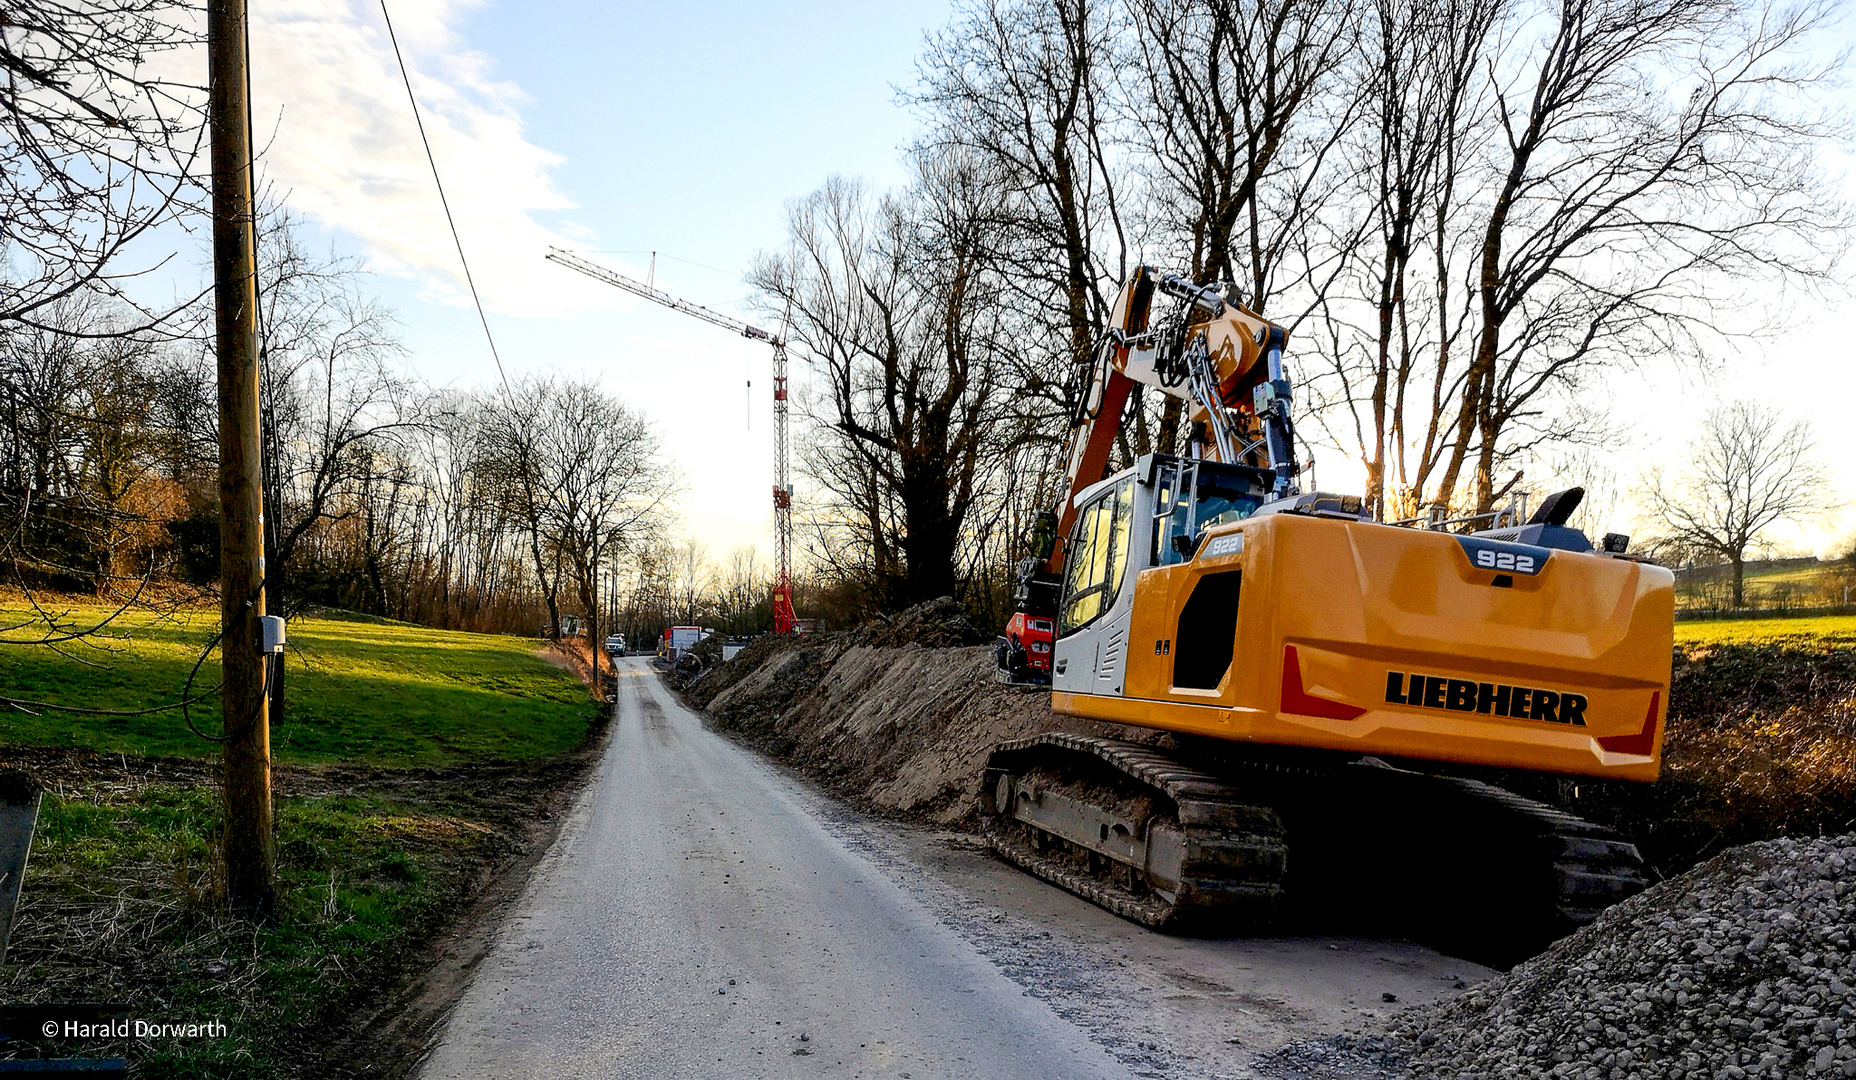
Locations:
(1467, 214)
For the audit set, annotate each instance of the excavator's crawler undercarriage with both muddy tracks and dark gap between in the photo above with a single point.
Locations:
(1343, 842)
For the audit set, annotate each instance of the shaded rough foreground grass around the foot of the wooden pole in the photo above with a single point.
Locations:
(354, 875)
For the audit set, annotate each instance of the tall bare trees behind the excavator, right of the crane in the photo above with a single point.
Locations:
(1467, 214)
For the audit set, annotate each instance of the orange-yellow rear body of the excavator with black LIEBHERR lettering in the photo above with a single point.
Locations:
(1374, 639)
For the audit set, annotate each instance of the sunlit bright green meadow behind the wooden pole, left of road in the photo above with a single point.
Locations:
(376, 693)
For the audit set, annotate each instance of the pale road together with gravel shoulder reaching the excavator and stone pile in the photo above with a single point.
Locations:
(896, 949)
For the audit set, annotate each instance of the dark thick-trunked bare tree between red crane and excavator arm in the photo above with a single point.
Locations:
(899, 303)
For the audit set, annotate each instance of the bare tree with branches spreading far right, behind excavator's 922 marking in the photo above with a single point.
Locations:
(1618, 207)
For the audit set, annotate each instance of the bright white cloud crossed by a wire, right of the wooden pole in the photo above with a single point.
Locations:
(348, 155)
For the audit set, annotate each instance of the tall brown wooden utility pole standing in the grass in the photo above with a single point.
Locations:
(250, 847)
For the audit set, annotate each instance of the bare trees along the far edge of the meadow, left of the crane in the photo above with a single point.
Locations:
(496, 509)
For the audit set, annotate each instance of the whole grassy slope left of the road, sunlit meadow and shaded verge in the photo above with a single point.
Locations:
(413, 767)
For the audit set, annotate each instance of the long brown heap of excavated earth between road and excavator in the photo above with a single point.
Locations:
(890, 714)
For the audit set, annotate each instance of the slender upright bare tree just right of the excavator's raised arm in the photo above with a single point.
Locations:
(1398, 368)
